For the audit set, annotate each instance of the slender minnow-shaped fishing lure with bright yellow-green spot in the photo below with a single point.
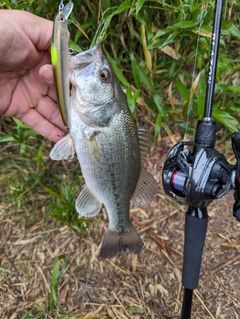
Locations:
(60, 59)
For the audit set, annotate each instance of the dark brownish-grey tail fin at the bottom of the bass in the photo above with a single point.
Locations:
(114, 243)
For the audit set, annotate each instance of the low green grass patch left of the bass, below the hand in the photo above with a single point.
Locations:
(31, 183)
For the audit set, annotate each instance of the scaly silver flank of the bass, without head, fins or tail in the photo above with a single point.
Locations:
(112, 178)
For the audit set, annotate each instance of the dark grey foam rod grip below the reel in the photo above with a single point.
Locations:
(195, 233)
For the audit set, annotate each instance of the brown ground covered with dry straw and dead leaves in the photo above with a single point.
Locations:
(143, 286)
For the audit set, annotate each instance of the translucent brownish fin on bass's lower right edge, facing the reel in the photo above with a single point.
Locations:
(146, 189)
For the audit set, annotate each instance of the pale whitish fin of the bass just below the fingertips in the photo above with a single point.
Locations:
(63, 149)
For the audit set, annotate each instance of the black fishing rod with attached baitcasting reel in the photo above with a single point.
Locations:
(195, 174)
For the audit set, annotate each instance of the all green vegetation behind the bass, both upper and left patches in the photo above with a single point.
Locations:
(160, 53)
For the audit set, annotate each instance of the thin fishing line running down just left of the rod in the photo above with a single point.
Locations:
(193, 72)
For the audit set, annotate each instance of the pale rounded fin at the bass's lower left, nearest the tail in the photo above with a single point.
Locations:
(87, 204)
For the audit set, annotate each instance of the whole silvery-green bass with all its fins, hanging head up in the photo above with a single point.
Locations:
(110, 149)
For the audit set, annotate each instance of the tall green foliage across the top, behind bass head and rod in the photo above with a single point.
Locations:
(153, 47)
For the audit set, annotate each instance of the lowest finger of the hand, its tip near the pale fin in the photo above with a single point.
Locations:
(41, 125)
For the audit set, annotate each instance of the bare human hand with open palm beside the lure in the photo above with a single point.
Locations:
(26, 79)
